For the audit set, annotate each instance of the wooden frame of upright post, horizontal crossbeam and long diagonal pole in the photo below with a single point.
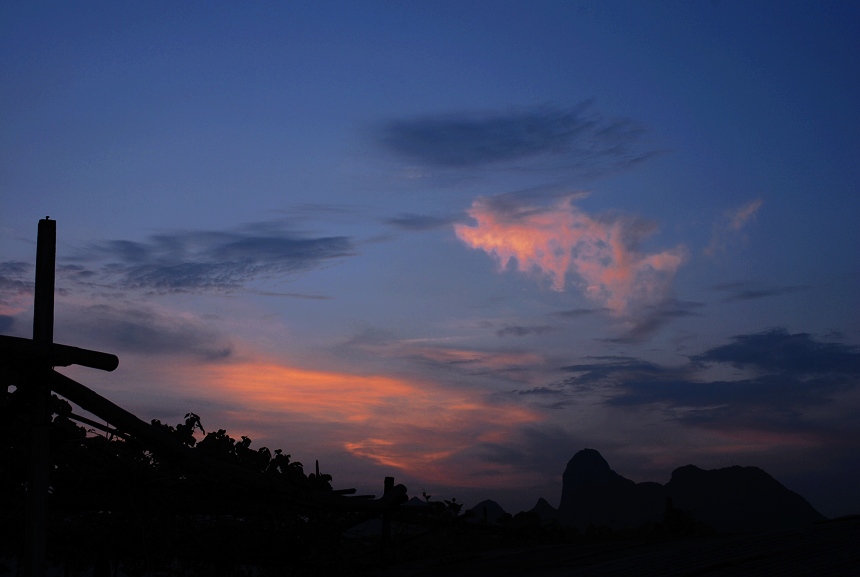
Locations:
(35, 358)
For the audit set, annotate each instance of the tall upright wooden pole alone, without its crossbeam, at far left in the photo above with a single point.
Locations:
(43, 338)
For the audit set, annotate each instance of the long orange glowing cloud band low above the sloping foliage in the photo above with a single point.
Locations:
(412, 426)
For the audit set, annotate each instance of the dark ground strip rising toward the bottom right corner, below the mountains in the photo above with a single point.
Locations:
(830, 548)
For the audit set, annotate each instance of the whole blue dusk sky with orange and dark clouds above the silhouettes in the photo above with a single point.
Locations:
(454, 242)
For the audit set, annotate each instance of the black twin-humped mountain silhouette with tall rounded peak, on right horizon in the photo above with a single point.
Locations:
(731, 500)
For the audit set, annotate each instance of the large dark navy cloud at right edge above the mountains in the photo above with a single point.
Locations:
(787, 374)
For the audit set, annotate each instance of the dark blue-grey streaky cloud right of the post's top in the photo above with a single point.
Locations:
(219, 260)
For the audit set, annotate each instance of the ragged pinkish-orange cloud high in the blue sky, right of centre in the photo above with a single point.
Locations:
(561, 240)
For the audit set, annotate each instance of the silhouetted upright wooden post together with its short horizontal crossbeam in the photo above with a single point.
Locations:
(35, 359)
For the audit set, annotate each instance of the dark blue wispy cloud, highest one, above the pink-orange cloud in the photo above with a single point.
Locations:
(544, 137)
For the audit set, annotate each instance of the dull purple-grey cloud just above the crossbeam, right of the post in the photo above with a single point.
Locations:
(146, 331)
